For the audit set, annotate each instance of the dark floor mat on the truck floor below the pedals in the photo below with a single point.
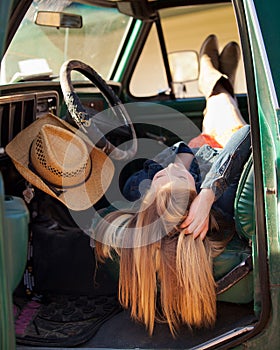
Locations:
(62, 321)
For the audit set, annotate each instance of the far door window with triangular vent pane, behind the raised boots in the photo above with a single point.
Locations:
(185, 29)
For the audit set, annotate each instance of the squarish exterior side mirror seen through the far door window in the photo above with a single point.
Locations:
(184, 66)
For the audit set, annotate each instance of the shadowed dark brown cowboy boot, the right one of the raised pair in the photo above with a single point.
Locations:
(229, 59)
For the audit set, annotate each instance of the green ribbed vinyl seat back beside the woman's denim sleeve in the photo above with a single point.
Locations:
(244, 202)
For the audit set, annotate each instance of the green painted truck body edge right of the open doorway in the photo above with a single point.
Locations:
(264, 35)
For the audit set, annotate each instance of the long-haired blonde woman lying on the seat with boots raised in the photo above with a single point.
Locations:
(166, 245)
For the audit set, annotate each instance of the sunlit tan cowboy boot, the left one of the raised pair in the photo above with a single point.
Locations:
(209, 65)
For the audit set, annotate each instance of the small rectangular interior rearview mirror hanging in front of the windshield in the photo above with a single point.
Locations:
(58, 19)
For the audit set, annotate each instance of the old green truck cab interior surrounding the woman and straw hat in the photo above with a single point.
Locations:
(75, 59)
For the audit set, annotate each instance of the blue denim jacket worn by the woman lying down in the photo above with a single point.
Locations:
(211, 168)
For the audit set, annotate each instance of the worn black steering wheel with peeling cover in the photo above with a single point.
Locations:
(85, 120)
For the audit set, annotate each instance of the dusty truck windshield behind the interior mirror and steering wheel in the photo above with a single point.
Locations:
(37, 51)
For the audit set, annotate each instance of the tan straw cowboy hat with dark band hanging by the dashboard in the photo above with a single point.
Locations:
(60, 160)
